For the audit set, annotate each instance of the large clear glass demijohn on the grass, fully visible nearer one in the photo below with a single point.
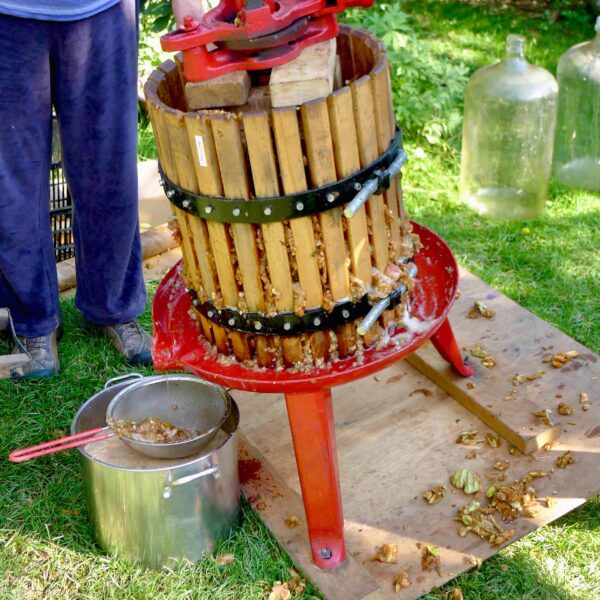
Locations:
(510, 116)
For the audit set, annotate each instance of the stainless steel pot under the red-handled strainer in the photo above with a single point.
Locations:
(164, 511)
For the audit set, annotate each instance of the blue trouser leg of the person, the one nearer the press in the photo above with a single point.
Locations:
(94, 79)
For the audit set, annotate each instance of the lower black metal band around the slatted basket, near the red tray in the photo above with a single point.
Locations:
(288, 323)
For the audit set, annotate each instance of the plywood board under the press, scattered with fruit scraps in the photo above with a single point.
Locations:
(395, 442)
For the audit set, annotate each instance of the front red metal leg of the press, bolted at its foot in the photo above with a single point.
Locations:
(313, 434)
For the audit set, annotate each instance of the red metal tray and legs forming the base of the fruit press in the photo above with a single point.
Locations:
(308, 395)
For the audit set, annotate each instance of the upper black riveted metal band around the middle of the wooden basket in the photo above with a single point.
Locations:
(282, 208)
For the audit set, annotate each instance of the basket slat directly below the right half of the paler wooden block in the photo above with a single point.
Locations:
(321, 163)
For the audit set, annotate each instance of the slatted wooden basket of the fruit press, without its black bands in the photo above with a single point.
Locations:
(306, 262)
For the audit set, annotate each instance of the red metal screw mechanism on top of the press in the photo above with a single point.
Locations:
(253, 34)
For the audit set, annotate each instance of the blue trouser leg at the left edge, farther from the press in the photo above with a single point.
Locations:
(28, 283)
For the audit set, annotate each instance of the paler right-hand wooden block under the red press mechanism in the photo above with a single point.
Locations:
(307, 77)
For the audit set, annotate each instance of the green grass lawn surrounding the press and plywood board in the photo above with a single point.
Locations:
(549, 265)
